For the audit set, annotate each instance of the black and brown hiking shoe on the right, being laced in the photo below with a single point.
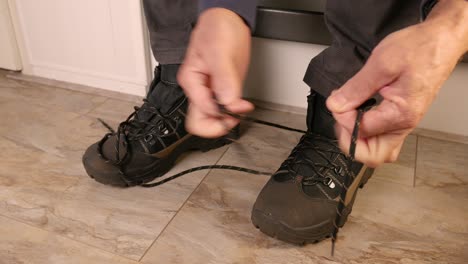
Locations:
(299, 203)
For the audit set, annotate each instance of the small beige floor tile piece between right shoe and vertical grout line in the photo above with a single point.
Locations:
(403, 170)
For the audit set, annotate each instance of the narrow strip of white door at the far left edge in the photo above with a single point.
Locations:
(9, 53)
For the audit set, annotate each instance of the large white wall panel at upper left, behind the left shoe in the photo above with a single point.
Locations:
(99, 43)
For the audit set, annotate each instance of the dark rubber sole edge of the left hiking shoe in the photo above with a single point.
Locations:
(160, 167)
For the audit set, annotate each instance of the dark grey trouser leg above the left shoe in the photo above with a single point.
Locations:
(170, 23)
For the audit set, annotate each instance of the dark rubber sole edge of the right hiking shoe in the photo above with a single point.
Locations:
(304, 235)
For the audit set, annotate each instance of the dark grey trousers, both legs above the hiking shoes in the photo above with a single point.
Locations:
(357, 26)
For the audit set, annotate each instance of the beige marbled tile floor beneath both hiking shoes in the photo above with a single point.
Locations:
(413, 211)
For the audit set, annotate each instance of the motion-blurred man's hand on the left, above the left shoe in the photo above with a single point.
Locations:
(214, 70)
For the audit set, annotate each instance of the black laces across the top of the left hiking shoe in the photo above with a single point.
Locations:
(145, 122)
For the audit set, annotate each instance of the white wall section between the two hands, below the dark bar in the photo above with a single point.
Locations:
(277, 70)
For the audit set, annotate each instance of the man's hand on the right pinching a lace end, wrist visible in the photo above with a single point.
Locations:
(407, 68)
